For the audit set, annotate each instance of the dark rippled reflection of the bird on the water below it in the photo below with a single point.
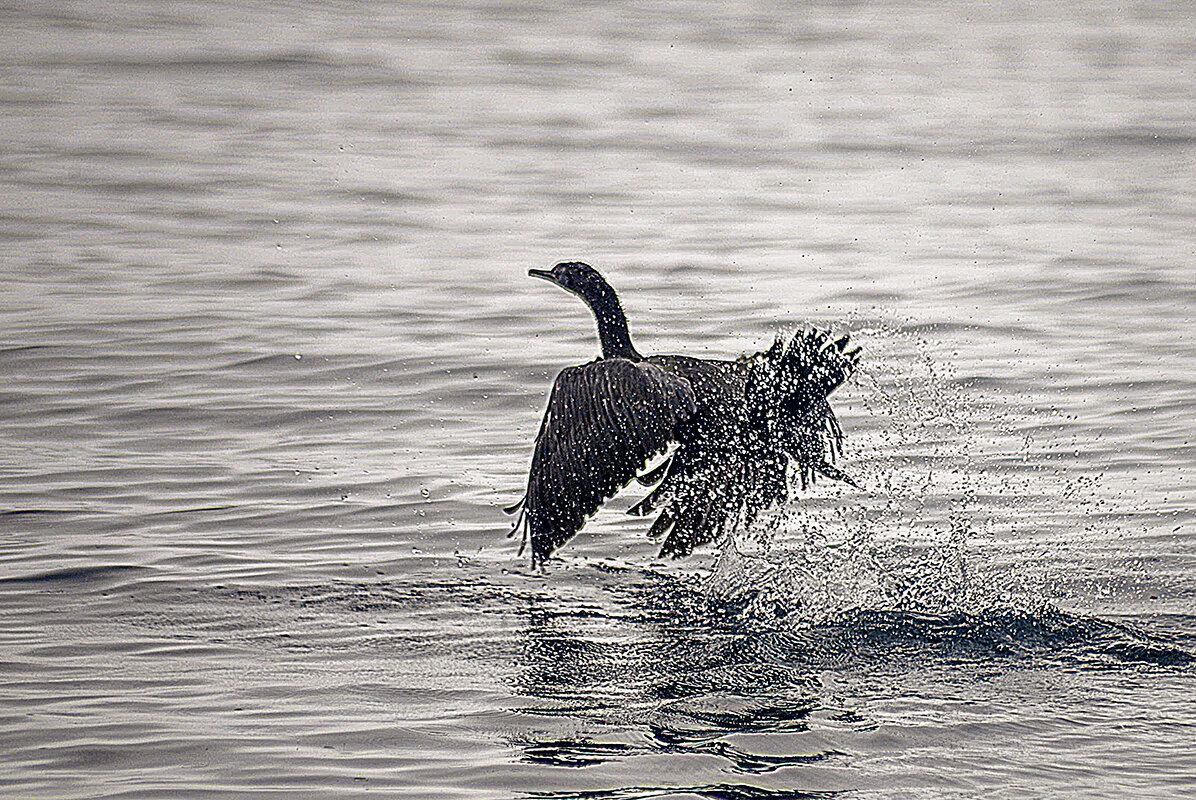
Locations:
(667, 676)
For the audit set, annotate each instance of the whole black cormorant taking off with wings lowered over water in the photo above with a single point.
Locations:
(736, 424)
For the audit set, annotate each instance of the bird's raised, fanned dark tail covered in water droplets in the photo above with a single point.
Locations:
(786, 406)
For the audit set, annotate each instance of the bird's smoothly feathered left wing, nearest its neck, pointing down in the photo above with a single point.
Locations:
(605, 422)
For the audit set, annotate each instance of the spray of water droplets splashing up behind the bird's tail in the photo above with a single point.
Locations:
(911, 541)
